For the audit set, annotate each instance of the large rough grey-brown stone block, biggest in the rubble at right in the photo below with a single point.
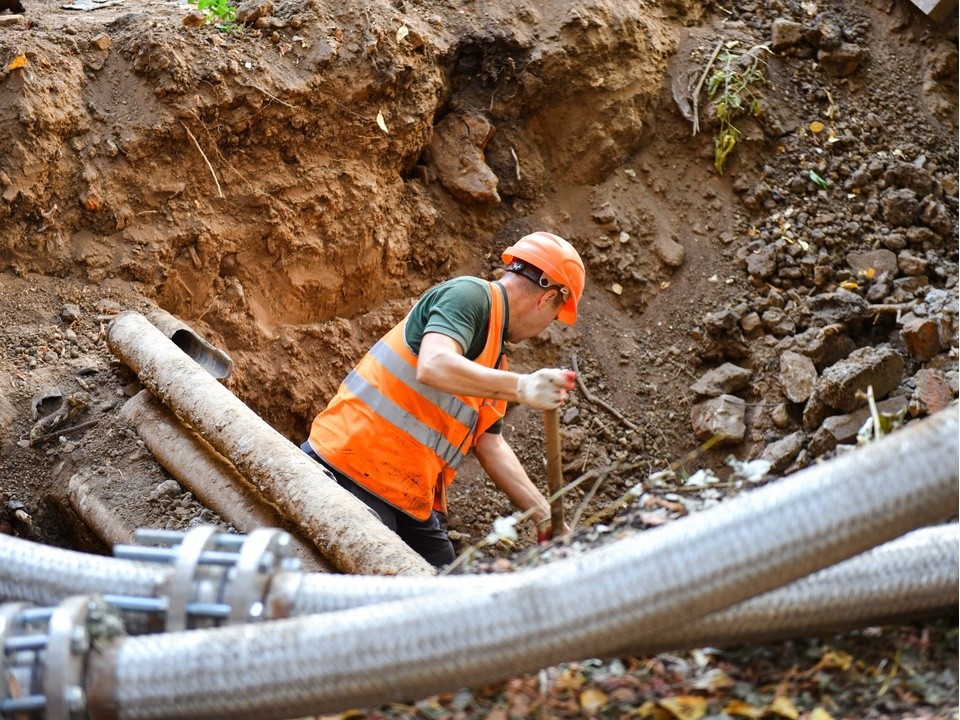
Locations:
(843, 384)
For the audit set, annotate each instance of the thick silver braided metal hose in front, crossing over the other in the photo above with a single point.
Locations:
(584, 607)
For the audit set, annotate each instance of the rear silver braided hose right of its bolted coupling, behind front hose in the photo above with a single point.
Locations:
(915, 574)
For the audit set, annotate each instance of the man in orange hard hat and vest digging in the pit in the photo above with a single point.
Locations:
(437, 385)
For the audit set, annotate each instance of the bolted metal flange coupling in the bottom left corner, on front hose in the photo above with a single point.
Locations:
(44, 653)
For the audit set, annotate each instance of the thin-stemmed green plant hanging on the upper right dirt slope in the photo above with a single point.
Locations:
(732, 88)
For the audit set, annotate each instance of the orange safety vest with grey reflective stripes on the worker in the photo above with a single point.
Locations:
(400, 439)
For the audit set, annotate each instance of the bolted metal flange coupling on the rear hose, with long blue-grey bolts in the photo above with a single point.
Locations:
(215, 579)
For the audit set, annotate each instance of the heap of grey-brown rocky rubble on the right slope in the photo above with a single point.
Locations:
(851, 252)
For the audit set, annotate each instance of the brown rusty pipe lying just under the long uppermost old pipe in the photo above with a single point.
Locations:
(208, 475)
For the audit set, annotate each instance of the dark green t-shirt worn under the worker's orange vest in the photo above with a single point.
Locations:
(460, 309)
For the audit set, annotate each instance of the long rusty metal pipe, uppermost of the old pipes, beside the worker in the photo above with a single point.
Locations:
(341, 526)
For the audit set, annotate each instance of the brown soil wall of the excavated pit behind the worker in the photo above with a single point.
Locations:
(241, 180)
